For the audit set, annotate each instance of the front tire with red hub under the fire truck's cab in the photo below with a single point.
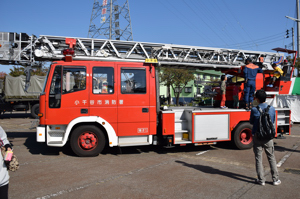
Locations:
(87, 141)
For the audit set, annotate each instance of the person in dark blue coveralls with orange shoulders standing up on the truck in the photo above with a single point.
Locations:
(250, 72)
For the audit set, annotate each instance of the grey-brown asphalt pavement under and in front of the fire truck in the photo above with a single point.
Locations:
(218, 171)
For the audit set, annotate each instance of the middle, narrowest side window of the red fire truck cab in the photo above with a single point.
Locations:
(103, 80)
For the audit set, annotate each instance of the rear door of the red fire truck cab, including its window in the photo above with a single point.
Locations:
(133, 100)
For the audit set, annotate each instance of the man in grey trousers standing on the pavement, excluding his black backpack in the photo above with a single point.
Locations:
(259, 145)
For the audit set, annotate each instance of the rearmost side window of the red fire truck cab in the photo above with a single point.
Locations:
(133, 81)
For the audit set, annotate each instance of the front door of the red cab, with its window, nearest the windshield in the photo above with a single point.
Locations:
(67, 96)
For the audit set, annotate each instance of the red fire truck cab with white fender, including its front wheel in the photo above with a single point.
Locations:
(122, 112)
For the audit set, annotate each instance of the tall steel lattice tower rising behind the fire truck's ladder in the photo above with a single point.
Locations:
(110, 20)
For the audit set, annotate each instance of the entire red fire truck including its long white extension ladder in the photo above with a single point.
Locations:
(106, 93)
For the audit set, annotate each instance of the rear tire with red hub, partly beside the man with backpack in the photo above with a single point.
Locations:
(242, 136)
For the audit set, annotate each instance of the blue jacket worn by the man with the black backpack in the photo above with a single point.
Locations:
(254, 116)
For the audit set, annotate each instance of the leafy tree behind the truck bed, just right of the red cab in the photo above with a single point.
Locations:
(177, 79)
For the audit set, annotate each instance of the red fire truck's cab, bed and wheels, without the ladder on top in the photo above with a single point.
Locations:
(93, 104)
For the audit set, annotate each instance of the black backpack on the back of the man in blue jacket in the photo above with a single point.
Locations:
(265, 129)
